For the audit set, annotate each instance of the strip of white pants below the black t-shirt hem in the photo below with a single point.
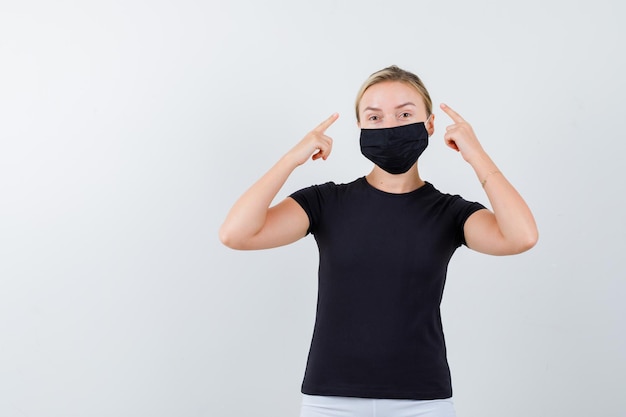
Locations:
(322, 406)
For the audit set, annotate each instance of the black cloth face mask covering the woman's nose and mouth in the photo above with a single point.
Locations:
(395, 149)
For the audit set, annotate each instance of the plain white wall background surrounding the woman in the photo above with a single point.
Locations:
(128, 129)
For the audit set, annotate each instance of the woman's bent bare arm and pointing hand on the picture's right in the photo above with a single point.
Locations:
(510, 228)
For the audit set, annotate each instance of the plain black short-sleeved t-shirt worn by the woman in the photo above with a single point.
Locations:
(382, 269)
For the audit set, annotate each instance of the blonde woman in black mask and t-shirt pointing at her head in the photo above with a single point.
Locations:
(385, 241)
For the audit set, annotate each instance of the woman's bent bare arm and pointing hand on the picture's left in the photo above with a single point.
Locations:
(251, 223)
